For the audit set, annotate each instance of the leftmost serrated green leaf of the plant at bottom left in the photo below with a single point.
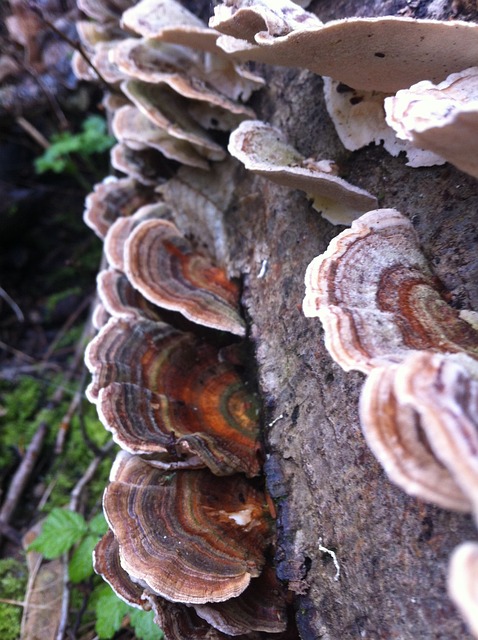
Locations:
(60, 531)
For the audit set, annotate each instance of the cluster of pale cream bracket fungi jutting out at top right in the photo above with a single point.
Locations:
(364, 62)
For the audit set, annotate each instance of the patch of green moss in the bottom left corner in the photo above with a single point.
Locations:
(13, 580)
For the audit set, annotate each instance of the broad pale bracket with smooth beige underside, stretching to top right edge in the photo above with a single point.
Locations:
(368, 53)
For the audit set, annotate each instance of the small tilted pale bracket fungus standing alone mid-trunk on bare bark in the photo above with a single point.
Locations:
(264, 150)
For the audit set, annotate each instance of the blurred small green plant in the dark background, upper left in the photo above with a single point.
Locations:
(60, 155)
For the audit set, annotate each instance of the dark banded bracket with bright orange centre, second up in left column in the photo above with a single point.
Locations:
(159, 390)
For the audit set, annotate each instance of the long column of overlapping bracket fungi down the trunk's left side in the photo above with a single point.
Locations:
(190, 531)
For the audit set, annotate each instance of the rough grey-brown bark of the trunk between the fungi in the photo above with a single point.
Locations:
(392, 550)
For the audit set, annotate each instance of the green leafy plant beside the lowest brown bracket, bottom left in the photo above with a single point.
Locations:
(64, 531)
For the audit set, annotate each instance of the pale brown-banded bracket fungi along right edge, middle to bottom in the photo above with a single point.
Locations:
(384, 314)
